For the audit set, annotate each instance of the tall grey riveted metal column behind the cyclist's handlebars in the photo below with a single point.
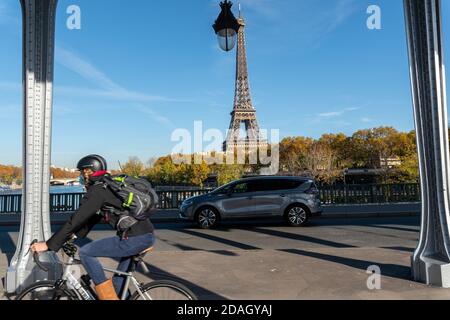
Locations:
(38, 62)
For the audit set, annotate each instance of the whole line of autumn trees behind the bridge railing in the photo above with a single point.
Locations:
(324, 159)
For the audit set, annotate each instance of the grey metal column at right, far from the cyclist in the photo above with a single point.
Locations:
(431, 260)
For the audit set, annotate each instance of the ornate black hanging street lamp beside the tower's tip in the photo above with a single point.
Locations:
(226, 27)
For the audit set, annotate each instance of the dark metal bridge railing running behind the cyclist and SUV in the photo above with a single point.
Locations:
(172, 199)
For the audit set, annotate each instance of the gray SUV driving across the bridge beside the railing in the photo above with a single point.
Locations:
(296, 199)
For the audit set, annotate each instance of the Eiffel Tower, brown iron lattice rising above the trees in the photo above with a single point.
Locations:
(243, 111)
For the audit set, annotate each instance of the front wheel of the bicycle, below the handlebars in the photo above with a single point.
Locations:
(46, 290)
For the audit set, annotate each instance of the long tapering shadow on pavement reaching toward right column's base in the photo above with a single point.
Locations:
(389, 270)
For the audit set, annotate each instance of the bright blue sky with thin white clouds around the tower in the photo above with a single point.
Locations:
(139, 69)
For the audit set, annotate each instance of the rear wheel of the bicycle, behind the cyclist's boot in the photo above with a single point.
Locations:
(164, 290)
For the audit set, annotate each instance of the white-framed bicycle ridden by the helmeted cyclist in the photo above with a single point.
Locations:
(68, 287)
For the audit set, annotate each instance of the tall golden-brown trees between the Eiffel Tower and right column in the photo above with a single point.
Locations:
(326, 159)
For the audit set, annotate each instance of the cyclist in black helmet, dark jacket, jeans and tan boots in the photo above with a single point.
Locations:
(137, 239)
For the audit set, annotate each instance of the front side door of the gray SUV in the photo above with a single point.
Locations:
(238, 202)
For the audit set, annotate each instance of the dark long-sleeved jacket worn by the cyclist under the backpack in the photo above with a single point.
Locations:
(89, 214)
